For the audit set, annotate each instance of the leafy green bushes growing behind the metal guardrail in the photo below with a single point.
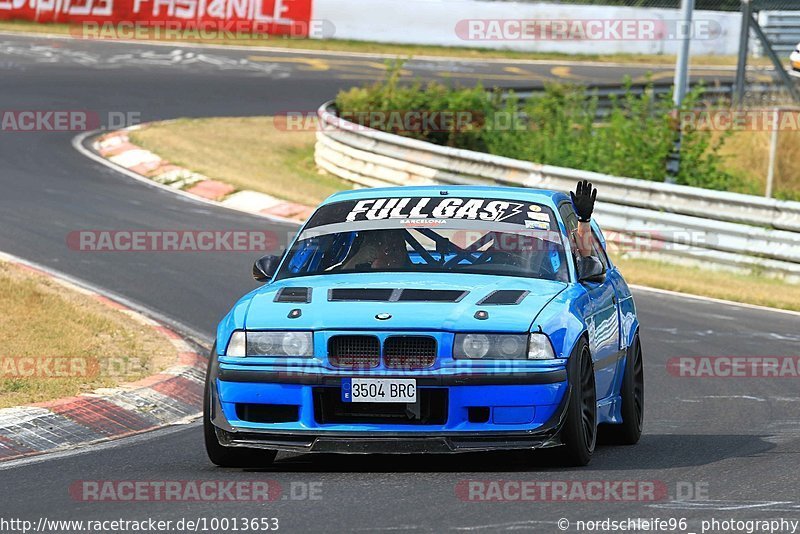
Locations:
(559, 127)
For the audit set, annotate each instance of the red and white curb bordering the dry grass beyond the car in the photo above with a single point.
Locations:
(117, 148)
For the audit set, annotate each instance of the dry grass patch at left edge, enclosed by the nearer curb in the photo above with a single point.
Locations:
(60, 343)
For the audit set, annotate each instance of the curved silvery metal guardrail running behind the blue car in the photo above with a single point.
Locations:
(683, 223)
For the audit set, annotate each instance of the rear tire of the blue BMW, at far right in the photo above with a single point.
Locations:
(632, 394)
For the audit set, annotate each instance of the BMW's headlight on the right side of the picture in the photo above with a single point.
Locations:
(502, 347)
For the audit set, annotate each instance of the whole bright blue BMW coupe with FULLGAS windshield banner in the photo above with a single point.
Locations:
(429, 320)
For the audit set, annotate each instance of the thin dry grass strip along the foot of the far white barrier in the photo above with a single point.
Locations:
(343, 45)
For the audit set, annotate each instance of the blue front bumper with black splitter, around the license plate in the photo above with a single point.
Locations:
(526, 411)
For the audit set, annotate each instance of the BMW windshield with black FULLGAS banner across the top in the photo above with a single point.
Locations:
(459, 235)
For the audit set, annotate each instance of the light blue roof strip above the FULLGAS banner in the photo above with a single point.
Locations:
(539, 196)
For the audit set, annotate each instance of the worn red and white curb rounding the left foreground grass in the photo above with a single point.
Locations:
(172, 396)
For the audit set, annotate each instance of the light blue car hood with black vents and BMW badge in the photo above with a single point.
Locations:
(453, 311)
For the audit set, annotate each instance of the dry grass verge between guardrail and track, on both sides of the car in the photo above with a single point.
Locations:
(281, 164)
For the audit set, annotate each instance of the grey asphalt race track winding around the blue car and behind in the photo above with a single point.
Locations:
(735, 442)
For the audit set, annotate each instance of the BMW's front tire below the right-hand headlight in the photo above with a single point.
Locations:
(579, 433)
